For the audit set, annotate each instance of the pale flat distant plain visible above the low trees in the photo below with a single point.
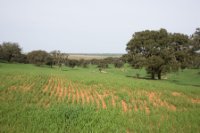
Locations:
(92, 56)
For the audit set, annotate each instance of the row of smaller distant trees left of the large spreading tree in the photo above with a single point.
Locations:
(11, 52)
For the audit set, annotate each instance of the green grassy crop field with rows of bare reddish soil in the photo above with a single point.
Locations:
(41, 99)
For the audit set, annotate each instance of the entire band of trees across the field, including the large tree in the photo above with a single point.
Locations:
(159, 52)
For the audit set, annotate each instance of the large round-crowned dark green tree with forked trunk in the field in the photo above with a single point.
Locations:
(158, 51)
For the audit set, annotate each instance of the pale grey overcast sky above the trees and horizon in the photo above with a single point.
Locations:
(91, 26)
